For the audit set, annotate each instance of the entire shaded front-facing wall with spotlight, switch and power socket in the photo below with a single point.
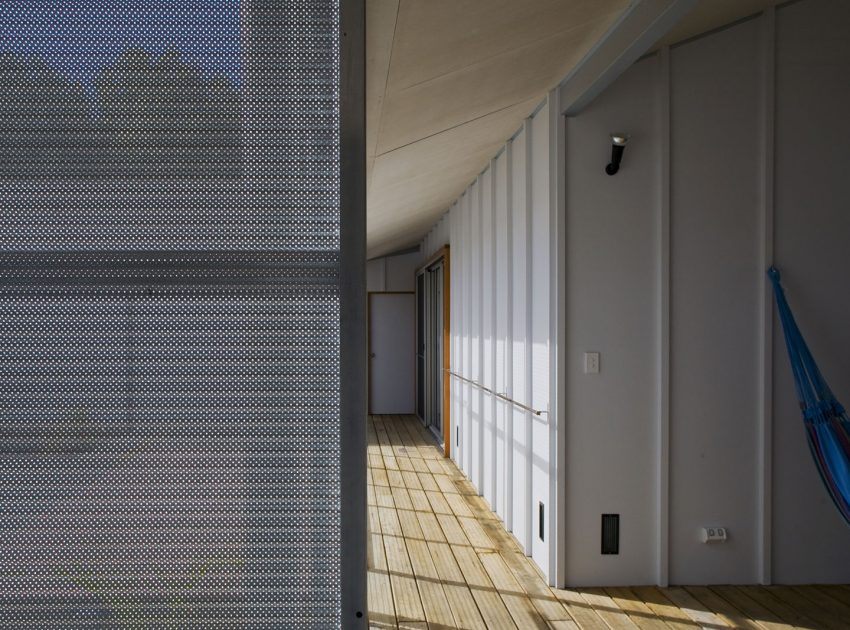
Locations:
(665, 275)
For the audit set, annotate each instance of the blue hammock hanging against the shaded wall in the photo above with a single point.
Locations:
(826, 421)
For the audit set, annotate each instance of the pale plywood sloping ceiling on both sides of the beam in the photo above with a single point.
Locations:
(449, 81)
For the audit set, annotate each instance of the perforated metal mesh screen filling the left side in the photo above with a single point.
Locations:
(169, 314)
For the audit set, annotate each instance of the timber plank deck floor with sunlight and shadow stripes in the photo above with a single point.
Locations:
(439, 558)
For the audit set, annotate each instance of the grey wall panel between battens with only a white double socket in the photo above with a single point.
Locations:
(716, 281)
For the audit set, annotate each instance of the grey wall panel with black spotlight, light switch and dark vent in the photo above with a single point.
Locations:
(612, 284)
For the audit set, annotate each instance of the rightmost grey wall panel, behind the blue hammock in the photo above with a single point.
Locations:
(811, 543)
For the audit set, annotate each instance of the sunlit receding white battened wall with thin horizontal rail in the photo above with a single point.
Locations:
(498, 232)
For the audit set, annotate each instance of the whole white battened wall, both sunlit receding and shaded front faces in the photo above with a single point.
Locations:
(737, 158)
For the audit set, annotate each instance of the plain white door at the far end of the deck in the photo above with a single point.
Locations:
(392, 353)
